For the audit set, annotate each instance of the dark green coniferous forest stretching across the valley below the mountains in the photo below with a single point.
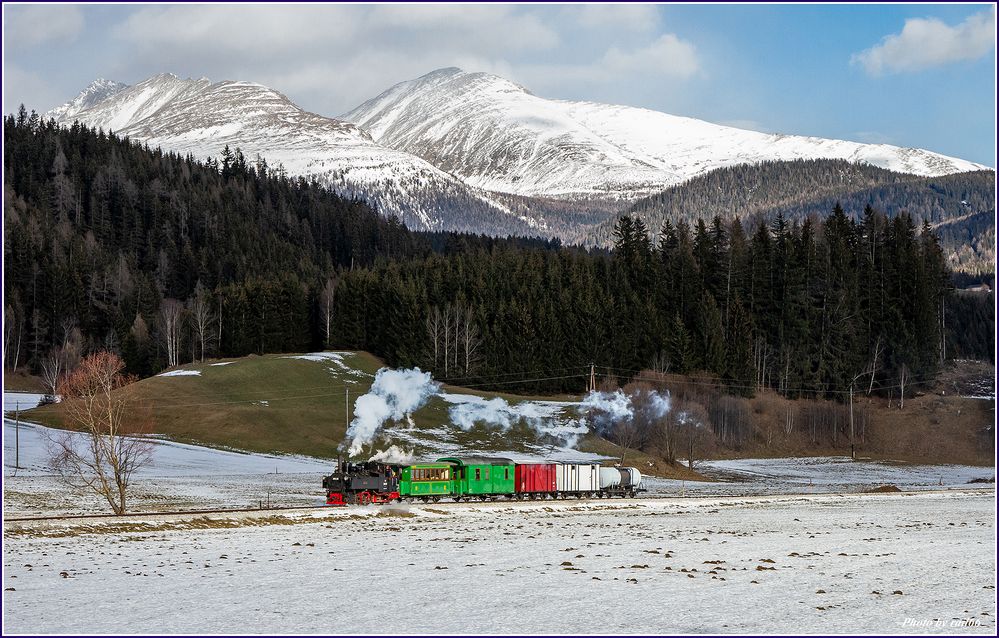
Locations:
(165, 259)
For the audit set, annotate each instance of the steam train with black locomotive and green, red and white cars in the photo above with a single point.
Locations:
(476, 478)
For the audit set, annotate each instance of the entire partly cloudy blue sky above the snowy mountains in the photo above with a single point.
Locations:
(911, 75)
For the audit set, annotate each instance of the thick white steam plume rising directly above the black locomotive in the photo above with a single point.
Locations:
(395, 394)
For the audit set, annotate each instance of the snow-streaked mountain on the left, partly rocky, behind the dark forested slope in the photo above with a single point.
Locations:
(201, 118)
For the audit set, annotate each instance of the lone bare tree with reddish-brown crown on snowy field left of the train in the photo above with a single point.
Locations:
(104, 454)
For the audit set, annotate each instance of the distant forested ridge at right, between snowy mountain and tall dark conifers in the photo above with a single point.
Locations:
(960, 207)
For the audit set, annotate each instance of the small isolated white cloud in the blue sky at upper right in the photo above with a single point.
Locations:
(928, 42)
